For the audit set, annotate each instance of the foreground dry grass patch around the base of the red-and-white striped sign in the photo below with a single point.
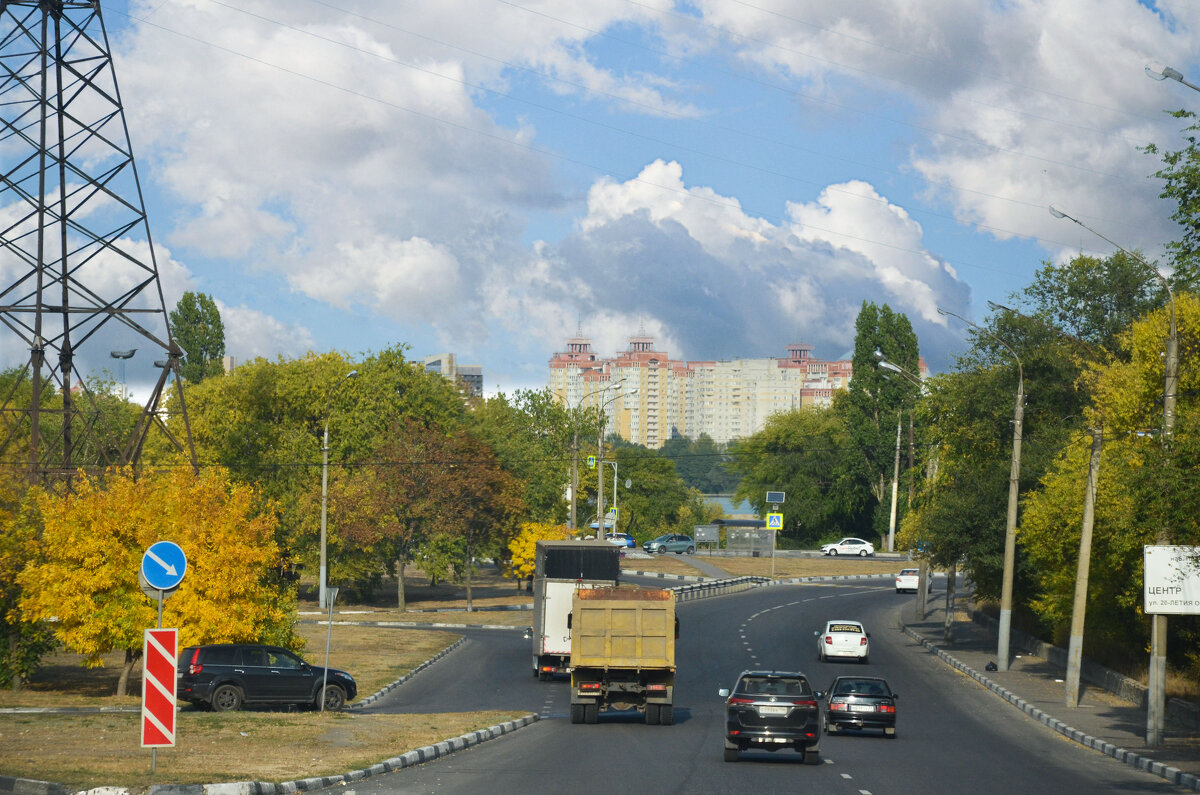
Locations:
(89, 751)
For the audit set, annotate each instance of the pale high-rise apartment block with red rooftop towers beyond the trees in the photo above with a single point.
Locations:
(650, 398)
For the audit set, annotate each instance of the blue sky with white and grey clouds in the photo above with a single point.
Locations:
(493, 177)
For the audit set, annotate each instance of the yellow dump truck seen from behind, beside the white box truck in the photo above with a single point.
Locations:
(623, 653)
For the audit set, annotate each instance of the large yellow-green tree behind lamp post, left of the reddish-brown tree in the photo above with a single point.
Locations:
(266, 425)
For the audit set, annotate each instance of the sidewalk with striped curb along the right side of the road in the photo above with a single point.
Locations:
(1102, 721)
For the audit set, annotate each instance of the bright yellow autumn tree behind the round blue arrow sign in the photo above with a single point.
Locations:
(93, 541)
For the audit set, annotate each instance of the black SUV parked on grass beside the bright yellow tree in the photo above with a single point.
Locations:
(225, 677)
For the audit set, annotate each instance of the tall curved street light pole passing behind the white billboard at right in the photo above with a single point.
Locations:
(1156, 695)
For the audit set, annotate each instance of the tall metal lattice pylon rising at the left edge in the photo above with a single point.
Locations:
(75, 242)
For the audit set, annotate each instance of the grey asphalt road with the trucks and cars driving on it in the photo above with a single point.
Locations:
(953, 737)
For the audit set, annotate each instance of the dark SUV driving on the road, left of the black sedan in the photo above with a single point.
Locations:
(771, 712)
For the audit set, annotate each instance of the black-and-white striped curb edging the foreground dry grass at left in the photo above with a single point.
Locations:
(410, 760)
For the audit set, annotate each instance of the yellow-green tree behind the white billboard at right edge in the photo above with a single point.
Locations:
(1145, 488)
